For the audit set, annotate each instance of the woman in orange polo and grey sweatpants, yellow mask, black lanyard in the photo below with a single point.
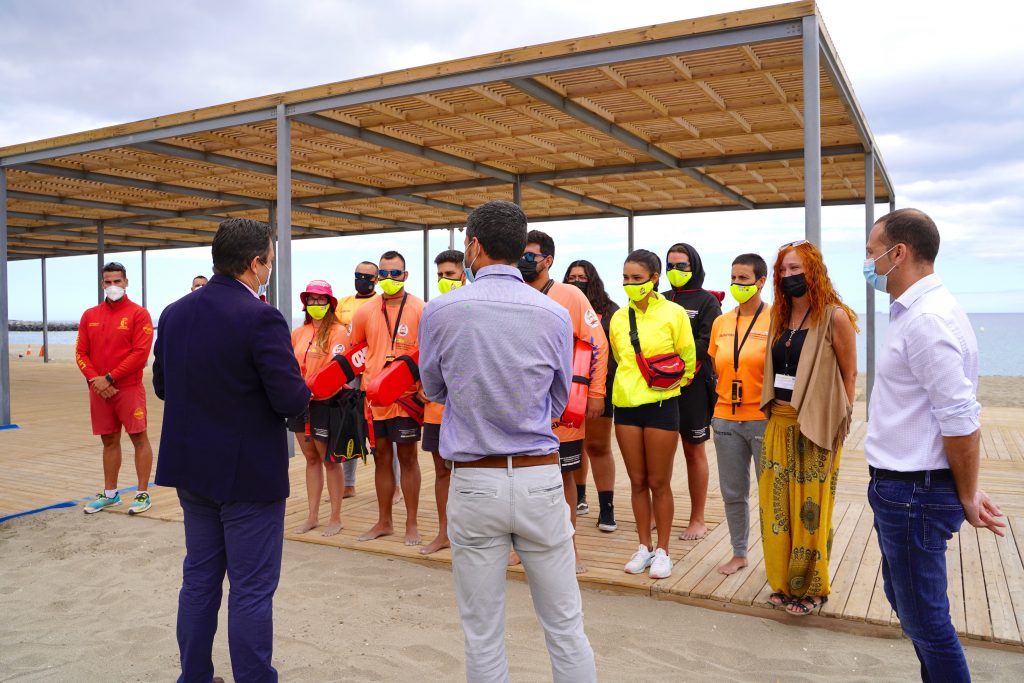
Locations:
(738, 347)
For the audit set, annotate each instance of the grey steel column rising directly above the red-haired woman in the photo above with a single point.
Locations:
(813, 133)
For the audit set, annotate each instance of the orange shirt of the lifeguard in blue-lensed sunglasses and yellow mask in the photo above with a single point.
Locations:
(371, 326)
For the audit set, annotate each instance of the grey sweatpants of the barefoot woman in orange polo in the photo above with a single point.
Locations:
(738, 444)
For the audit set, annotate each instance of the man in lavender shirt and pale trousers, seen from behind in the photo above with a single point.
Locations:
(498, 355)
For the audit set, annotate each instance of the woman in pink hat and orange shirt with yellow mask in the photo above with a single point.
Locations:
(318, 340)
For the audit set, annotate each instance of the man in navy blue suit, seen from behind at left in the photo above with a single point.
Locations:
(226, 370)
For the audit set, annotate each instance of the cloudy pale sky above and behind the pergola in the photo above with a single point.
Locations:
(941, 83)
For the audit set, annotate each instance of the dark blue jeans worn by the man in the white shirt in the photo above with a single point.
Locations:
(914, 523)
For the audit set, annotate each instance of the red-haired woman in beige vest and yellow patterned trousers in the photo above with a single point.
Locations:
(807, 396)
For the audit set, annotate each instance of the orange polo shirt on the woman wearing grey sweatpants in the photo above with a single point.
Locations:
(752, 363)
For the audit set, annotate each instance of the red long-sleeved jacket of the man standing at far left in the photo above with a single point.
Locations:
(115, 338)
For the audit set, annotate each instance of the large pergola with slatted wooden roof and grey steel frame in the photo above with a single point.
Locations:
(749, 110)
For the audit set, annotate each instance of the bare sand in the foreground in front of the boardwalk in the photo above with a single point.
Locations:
(86, 595)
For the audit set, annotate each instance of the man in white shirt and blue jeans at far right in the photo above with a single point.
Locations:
(923, 437)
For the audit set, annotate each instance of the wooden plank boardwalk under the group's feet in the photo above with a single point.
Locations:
(54, 459)
